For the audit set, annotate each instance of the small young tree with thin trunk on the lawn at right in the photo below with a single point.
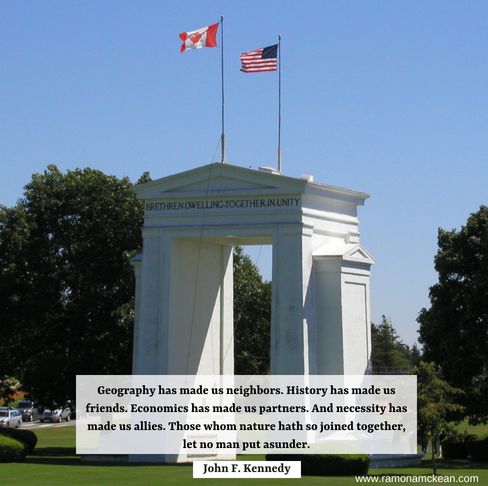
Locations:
(436, 408)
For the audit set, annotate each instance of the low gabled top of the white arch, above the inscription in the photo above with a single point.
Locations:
(194, 180)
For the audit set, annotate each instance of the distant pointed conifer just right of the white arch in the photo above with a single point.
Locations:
(388, 354)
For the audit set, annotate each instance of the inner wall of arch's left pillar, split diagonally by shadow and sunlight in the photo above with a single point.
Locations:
(200, 322)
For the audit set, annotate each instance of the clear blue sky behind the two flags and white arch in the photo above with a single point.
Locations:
(389, 98)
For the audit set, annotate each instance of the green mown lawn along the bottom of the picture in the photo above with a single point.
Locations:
(55, 463)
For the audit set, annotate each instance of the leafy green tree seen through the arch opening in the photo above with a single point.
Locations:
(252, 317)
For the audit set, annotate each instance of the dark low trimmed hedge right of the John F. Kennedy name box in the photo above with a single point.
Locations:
(327, 464)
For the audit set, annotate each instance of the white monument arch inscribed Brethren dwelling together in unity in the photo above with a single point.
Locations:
(184, 282)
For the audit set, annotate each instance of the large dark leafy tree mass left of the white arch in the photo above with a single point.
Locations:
(66, 283)
